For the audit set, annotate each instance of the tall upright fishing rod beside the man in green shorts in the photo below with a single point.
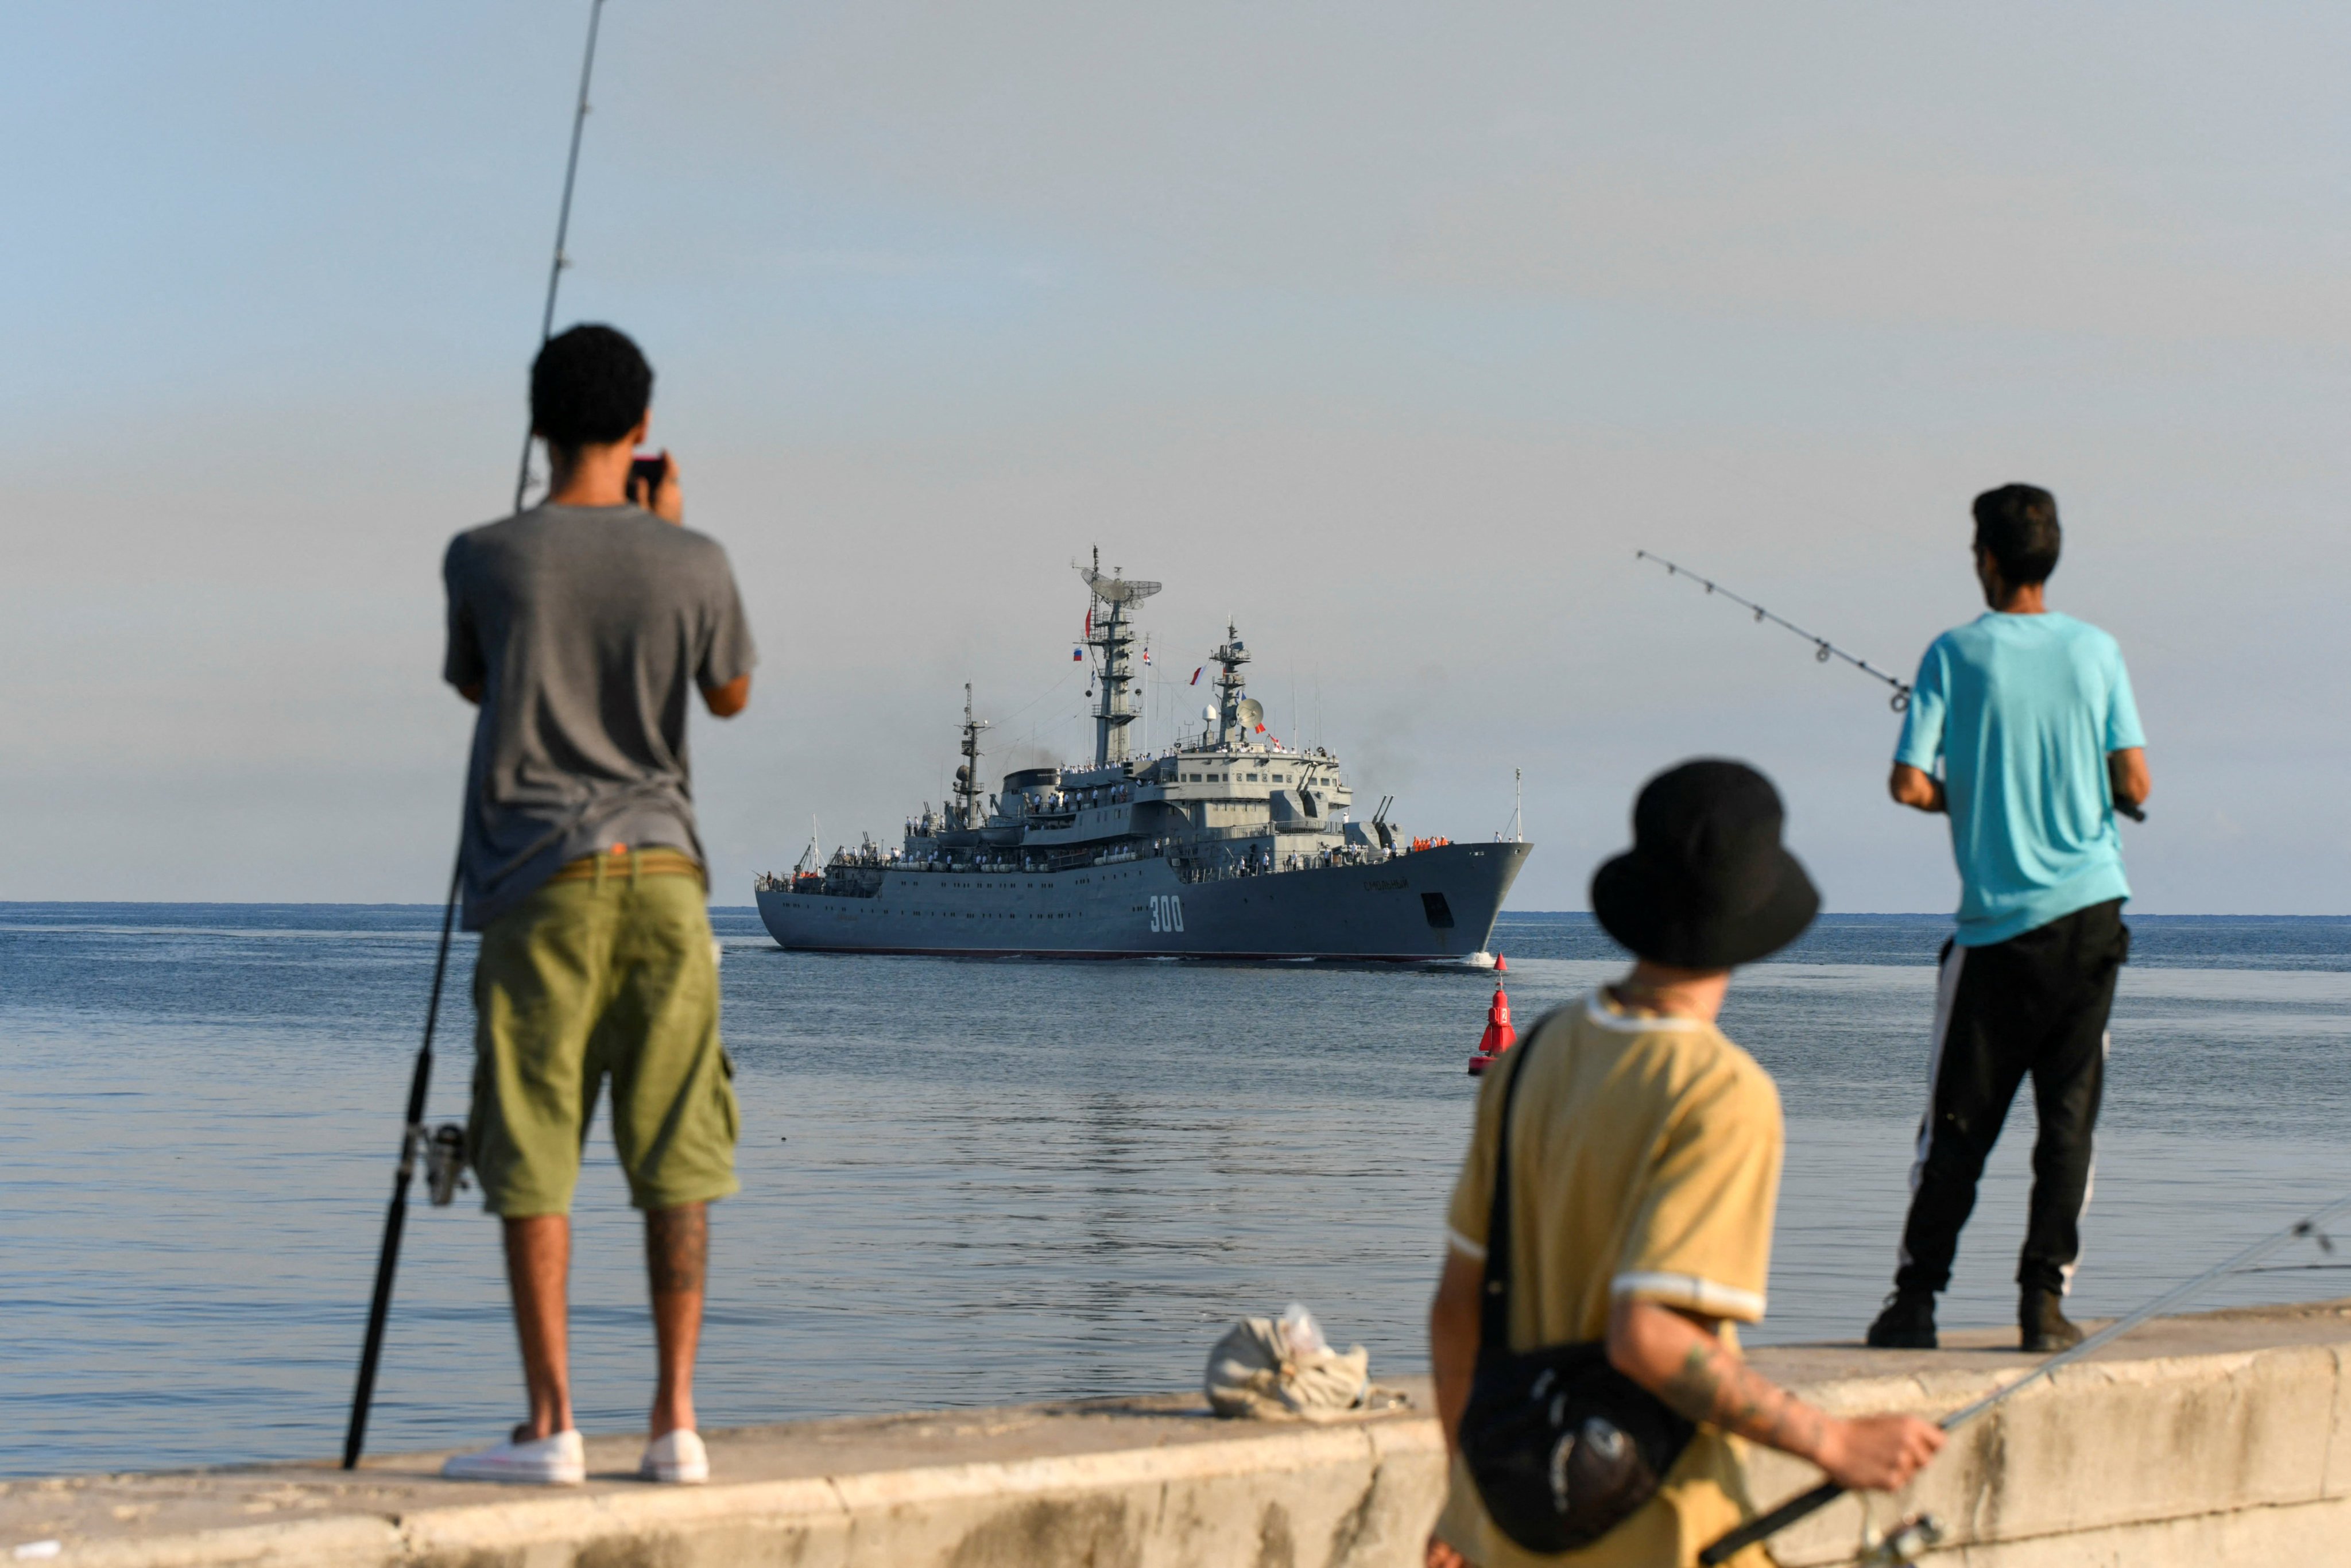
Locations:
(443, 1151)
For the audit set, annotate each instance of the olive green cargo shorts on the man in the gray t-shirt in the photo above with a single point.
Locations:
(591, 979)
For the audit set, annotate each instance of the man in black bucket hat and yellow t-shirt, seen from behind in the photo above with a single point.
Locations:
(1645, 1167)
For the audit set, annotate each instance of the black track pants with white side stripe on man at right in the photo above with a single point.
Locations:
(2035, 1005)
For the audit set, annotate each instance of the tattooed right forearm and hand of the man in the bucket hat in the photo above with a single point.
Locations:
(1680, 1360)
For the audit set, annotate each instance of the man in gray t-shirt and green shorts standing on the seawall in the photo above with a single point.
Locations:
(584, 629)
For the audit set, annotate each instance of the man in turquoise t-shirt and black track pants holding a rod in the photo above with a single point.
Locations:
(2039, 742)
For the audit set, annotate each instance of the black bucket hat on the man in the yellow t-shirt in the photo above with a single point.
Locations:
(1708, 883)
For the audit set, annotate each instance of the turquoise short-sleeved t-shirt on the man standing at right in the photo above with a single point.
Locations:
(2023, 711)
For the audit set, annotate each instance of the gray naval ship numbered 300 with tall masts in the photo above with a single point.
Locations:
(1228, 845)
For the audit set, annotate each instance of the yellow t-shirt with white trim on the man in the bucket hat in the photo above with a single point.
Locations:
(1645, 1160)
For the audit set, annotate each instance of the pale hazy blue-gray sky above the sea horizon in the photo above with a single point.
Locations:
(1384, 330)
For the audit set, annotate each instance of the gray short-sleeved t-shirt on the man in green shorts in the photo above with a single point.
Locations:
(589, 629)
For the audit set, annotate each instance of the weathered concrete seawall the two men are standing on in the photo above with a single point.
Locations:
(2195, 1440)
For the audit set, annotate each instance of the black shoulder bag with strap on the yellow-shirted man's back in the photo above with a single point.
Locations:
(1560, 1445)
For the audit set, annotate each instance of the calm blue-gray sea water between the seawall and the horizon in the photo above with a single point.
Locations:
(986, 1181)
